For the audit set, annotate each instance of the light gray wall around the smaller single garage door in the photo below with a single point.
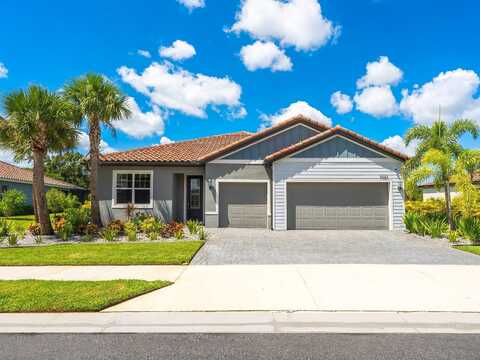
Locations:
(215, 173)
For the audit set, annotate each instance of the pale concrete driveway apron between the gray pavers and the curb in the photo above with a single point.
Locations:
(327, 287)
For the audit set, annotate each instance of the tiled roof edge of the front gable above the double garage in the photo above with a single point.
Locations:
(331, 132)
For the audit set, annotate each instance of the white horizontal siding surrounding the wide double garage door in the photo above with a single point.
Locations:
(334, 170)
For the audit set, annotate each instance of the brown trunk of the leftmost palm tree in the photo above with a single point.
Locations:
(40, 201)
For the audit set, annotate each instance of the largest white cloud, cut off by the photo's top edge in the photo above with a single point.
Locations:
(298, 23)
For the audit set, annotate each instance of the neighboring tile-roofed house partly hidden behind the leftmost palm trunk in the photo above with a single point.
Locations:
(14, 177)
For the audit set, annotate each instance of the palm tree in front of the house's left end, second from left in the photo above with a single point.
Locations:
(100, 102)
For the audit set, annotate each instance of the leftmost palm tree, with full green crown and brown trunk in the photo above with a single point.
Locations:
(38, 121)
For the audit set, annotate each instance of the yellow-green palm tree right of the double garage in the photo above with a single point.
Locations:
(442, 141)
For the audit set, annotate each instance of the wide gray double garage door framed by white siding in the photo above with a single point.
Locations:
(320, 206)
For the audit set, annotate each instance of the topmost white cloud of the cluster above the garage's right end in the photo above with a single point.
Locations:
(380, 73)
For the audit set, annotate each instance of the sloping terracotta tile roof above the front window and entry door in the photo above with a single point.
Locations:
(184, 152)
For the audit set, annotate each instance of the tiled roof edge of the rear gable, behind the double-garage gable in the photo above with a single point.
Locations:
(300, 119)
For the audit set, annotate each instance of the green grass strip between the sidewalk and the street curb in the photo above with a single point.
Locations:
(70, 296)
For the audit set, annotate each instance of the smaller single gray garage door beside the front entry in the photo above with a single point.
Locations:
(243, 205)
